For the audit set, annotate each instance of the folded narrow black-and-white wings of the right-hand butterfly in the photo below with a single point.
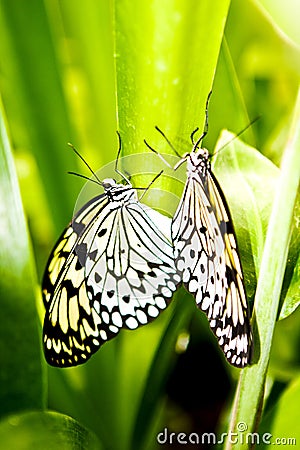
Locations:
(207, 258)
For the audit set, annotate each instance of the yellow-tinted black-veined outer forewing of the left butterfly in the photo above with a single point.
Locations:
(71, 324)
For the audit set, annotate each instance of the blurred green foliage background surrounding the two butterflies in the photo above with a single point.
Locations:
(73, 71)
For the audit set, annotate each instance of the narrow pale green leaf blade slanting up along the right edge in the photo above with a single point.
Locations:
(251, 387)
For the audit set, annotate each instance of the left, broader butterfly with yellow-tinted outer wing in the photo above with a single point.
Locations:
(112, 268)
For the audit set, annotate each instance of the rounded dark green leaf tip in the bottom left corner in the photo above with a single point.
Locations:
(45, 430)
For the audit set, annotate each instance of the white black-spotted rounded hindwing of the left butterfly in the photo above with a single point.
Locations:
(130, 270)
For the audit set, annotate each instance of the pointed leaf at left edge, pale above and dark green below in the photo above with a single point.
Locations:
(21, 375)
